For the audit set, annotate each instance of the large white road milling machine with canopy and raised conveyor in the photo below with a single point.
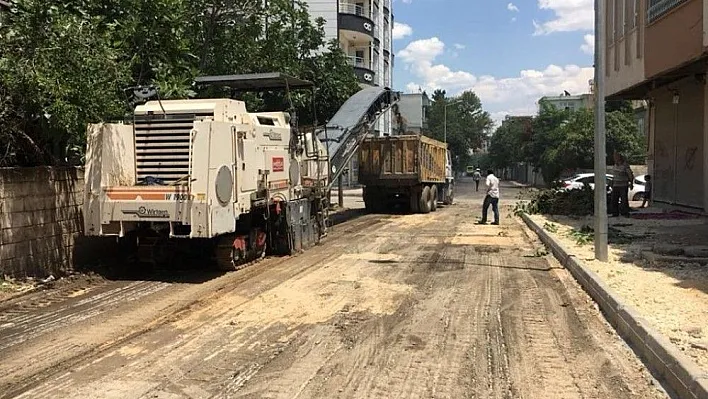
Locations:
(205, 176)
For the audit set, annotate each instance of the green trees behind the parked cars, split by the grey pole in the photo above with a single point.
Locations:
(561, 140)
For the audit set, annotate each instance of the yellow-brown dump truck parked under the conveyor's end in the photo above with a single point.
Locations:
(413, 171)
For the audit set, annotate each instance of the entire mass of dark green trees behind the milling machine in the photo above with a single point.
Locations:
(67, 63)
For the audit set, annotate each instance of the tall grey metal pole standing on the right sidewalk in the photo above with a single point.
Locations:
(601, 251)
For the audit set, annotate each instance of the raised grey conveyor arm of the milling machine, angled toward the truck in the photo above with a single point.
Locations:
(348, 127)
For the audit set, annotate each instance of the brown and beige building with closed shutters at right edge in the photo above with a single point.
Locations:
(657, 52)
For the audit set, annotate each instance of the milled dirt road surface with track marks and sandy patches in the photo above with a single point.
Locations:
(389, 306)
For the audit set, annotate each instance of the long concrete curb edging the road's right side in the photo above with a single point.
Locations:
(680, 373)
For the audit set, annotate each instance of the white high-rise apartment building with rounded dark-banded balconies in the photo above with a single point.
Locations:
(363, 29)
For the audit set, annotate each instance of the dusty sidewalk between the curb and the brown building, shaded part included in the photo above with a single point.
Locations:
(656, 266)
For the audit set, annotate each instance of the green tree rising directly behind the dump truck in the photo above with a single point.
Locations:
(467, 124)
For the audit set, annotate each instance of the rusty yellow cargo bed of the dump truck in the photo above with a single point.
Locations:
(402, 160)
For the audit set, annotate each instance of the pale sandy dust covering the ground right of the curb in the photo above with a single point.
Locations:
(672, 296)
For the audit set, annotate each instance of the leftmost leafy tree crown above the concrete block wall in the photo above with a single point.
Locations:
(58, 71)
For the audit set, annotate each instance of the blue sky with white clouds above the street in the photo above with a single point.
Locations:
(509, 53)
